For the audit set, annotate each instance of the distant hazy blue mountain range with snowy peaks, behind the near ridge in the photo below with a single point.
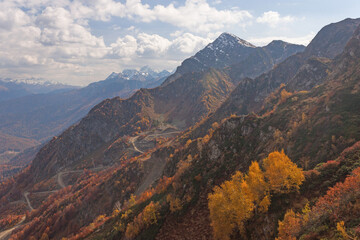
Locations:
(29, 117)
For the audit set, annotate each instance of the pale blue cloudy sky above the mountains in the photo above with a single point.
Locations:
(81, 41)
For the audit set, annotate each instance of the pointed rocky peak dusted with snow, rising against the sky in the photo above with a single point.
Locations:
(229, 49)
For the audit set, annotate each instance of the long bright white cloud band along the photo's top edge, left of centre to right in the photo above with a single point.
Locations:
(194, 15)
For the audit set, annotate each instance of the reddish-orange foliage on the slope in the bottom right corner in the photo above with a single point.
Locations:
(340, 202)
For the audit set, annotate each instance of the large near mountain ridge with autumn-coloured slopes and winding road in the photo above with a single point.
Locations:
(142, 167)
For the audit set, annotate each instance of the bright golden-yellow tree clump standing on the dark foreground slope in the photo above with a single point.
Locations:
(236, 200)
